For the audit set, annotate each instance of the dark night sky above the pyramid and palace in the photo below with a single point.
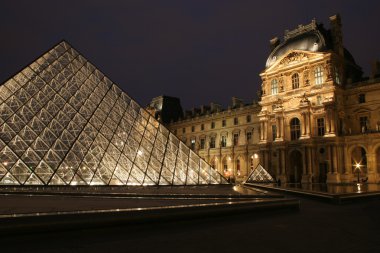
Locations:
(198, 50)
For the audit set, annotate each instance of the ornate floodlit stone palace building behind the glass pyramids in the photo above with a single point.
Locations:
(317, 118)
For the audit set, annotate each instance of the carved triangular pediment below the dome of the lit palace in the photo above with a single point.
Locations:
(293, 57)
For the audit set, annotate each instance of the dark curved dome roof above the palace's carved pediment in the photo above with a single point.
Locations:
(312, 41)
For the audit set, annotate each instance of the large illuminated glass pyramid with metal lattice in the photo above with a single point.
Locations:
(62, 122)
